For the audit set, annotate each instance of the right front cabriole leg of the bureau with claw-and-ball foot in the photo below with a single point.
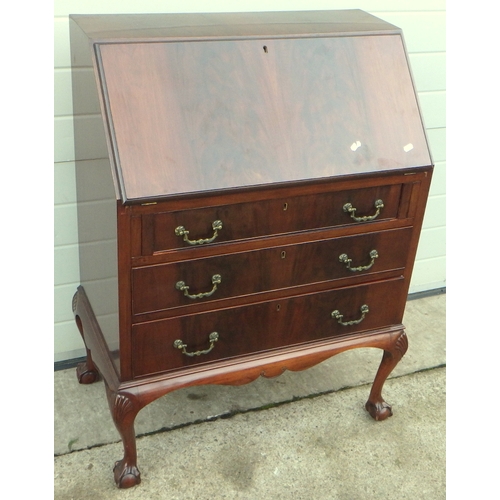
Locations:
(376, 406)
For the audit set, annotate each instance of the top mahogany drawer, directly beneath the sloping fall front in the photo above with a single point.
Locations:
(215, 224)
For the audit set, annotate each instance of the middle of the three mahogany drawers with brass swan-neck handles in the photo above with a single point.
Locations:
(183, 284)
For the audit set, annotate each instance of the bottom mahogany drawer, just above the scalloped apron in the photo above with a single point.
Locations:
(264, 326)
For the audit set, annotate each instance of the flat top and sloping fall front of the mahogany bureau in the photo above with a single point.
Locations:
(252, 99)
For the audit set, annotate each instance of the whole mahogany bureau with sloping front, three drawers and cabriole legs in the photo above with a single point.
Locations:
(251, 203)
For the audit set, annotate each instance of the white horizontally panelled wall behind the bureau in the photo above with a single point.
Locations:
(423, 24)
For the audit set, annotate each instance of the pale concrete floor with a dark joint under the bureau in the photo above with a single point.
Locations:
(302, 435)
